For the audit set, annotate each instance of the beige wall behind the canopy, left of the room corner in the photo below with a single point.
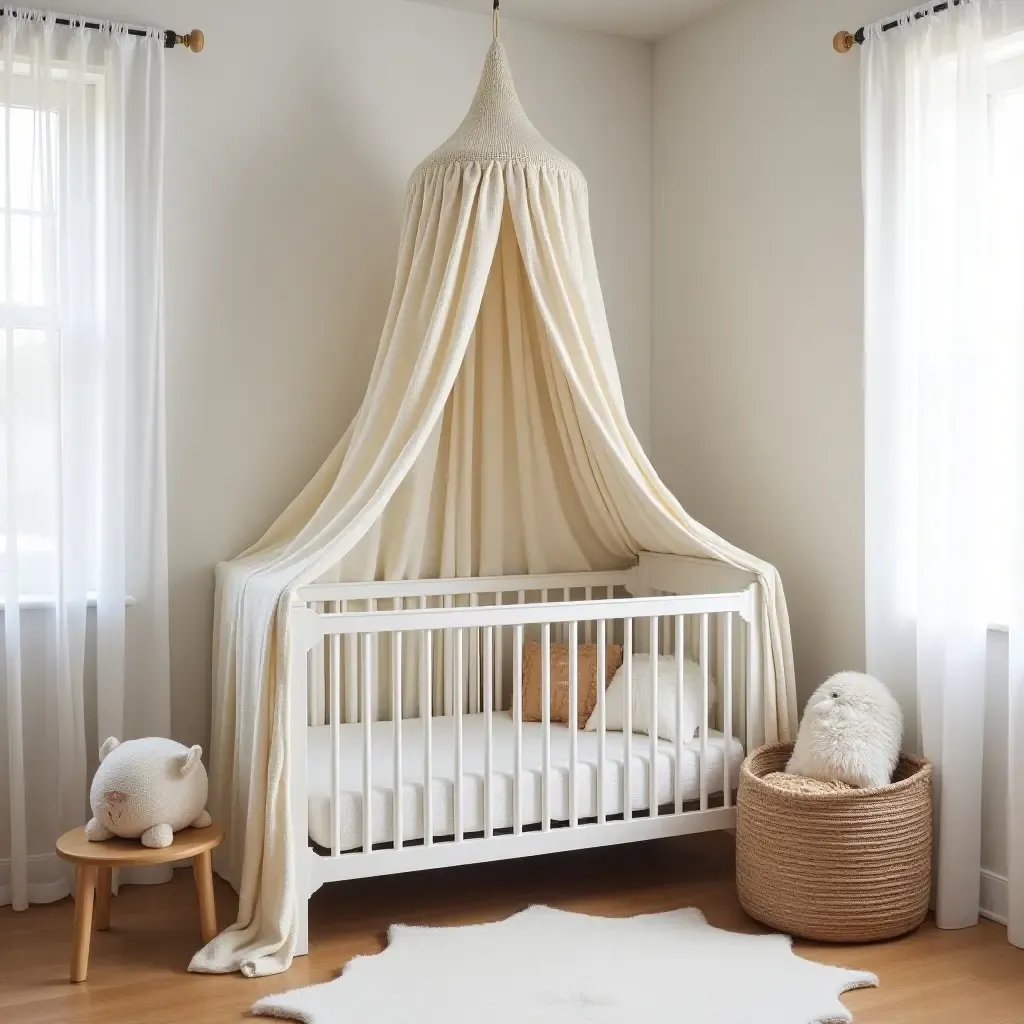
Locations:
(290, 142)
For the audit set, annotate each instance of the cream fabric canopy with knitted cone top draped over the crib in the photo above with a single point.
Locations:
(493, 440)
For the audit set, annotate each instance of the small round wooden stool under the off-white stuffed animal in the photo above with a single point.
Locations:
(95, 862)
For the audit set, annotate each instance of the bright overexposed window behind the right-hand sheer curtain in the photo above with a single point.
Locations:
(960, 320)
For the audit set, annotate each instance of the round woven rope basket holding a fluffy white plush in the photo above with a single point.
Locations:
(847, 866)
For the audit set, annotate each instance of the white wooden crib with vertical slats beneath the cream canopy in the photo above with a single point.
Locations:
(389, 669)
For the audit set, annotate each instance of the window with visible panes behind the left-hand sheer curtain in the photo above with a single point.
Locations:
(41, 136)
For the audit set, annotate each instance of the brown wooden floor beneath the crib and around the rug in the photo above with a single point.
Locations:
(138, 971)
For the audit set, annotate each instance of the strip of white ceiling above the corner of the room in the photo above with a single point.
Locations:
(641, 19)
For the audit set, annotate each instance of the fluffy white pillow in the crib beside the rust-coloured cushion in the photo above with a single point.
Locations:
(693, 699)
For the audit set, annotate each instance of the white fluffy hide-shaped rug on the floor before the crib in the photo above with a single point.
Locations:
(552, 967)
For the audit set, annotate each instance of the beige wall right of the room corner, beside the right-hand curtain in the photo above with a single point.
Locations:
(758, 330)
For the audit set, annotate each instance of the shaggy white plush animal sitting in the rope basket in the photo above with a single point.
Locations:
(851, 733)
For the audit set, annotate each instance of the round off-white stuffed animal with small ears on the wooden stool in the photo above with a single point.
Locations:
(148, 790)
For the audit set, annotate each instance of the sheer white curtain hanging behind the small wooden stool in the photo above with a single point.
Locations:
(83, 567)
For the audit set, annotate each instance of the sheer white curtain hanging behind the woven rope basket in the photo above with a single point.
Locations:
(944, 150)
